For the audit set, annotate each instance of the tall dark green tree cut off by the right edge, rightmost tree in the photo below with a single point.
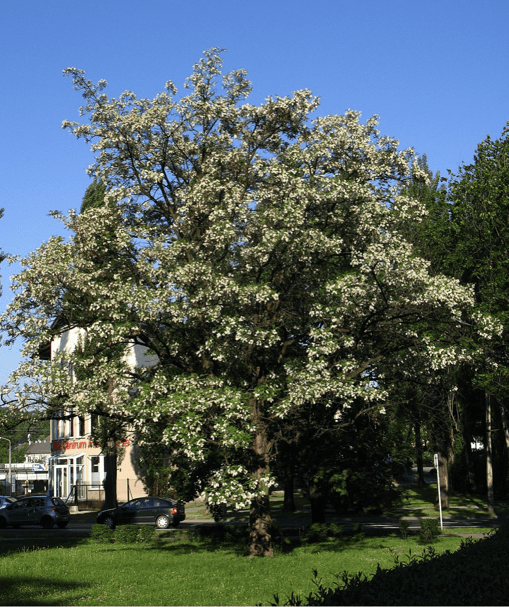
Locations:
(479, 196)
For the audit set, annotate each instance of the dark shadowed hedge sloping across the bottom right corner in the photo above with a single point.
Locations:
(475, 574)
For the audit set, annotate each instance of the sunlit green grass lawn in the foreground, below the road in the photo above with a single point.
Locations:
(187, 572)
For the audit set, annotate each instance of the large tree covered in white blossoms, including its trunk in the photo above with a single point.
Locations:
(257, 253)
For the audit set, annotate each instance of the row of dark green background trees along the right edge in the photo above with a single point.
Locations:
(466, 236)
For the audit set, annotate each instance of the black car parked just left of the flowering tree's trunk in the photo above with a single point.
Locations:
(157, 511)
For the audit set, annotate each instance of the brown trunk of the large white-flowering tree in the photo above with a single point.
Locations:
(260, 521)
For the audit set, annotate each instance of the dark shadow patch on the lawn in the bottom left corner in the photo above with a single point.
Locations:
(41, 591)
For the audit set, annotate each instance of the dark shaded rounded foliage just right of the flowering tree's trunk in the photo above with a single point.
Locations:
(351, 462)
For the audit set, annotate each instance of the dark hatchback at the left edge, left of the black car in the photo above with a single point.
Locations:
(35, 510)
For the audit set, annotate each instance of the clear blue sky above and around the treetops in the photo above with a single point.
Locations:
(436, 72)
